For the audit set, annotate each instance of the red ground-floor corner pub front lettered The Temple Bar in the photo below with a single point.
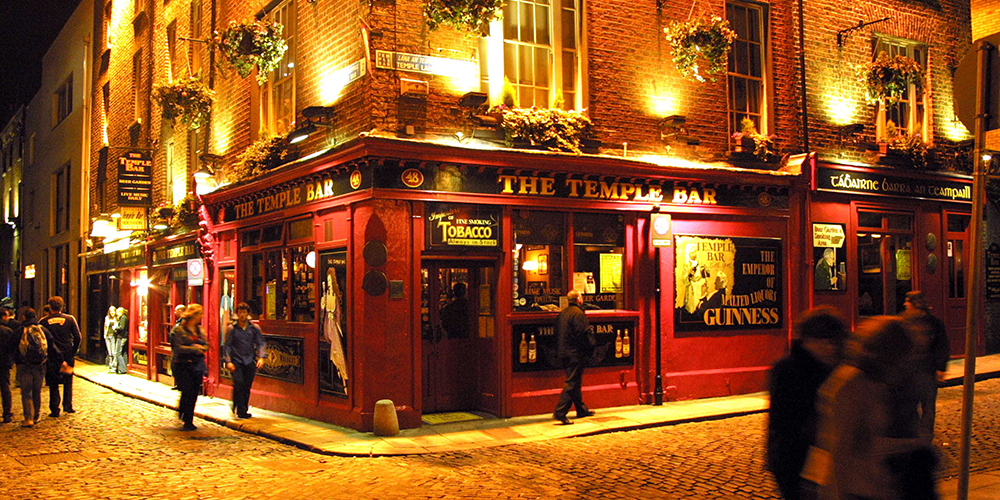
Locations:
(433, 276)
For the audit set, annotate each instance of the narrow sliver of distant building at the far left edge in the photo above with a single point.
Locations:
(12, 151)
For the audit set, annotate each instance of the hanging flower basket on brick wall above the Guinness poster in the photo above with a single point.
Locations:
(700, 47)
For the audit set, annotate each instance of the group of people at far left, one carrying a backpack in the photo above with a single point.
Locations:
(44, 349)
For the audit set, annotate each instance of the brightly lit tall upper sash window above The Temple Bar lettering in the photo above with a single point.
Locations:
(540, 53)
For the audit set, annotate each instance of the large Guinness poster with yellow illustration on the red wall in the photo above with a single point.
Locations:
(727, 284)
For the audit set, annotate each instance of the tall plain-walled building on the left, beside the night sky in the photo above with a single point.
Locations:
(56, 170)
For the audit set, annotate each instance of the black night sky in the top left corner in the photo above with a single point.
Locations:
(28, 28)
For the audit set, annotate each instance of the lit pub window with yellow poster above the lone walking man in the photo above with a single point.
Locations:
(599, 259)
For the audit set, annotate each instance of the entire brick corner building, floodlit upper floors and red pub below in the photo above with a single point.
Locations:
(348, 252)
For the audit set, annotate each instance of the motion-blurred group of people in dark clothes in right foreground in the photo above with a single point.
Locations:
(852, 415)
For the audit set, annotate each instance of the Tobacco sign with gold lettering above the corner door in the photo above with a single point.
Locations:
(463, 226)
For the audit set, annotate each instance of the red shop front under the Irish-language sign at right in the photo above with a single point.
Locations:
(877, 234)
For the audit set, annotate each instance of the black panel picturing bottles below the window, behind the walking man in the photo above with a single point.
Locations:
(536, 345)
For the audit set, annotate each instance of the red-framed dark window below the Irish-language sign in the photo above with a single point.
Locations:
(885, 267)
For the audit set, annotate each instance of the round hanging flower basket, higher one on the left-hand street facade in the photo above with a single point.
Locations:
(252, 44)
